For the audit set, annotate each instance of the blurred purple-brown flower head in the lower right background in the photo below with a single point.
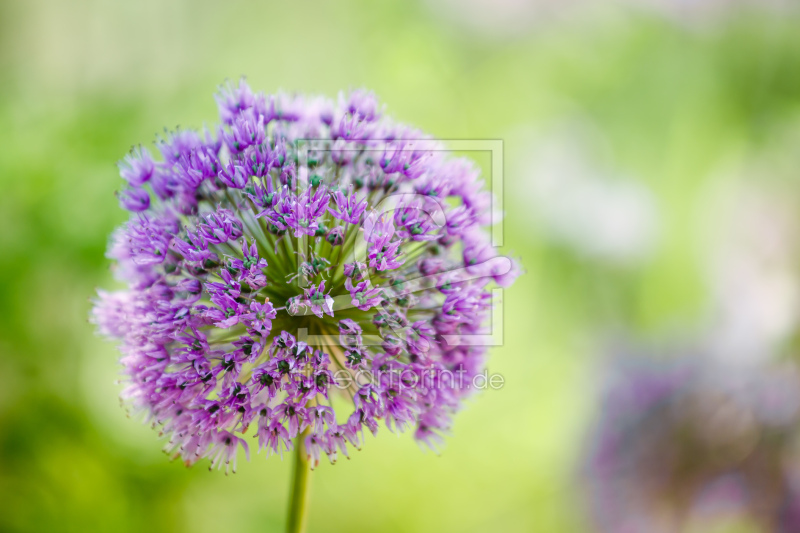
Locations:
(687, 446)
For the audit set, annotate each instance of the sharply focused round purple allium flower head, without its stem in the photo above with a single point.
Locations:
(267, 274)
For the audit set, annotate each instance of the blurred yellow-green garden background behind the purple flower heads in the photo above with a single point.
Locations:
(636, 137)
